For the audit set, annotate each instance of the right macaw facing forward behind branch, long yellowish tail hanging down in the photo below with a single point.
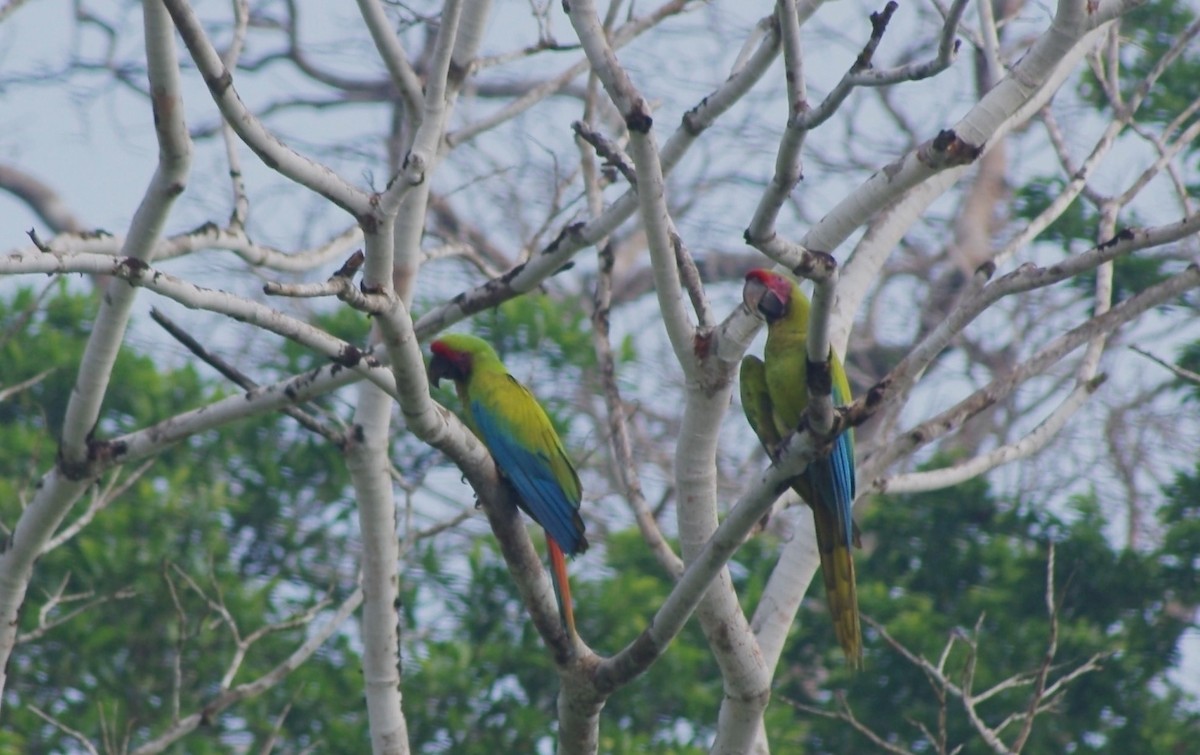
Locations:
(775, 396)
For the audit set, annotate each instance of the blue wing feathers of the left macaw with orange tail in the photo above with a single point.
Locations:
(533, 477)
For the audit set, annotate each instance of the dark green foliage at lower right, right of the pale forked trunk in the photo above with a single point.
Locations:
(946, 562)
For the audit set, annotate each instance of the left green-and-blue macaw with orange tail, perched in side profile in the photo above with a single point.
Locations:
(527, 451)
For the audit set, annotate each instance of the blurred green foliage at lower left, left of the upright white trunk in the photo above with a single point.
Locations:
(244, 514)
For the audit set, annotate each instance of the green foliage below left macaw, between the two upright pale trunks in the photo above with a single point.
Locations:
(487, 685)
